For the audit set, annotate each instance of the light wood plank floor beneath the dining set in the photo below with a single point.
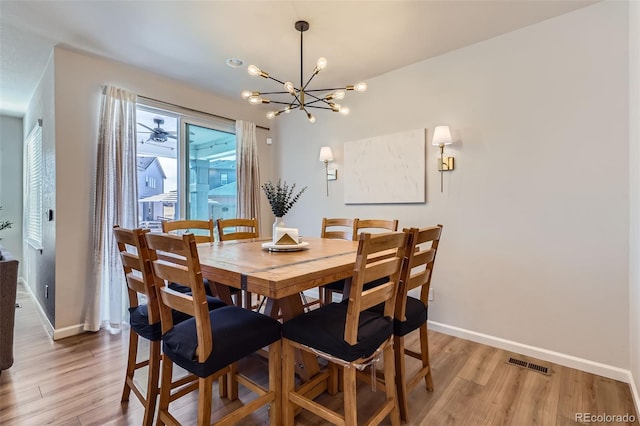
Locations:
(78, 381)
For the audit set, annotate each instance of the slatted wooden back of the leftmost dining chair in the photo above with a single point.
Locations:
(135, 257)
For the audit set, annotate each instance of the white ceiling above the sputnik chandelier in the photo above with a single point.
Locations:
(191, 40)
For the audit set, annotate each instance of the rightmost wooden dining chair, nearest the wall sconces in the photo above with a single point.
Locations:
(411, 312)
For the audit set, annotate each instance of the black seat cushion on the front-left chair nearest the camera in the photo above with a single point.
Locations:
(236, 333)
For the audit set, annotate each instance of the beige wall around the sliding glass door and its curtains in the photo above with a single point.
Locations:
(78, 83)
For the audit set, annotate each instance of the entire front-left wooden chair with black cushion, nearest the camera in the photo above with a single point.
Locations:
(209, 344)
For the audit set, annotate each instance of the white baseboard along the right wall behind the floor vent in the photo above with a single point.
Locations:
(582, 364)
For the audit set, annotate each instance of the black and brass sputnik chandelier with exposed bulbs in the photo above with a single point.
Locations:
(301, 97)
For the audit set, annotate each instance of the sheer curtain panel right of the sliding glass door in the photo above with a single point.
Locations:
(248, 199)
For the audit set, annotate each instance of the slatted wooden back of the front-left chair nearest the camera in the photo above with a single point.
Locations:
(181, 265)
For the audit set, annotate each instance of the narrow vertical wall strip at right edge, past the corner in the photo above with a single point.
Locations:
(634, 193)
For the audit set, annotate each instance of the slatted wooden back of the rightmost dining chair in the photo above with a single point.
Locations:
(420, 255)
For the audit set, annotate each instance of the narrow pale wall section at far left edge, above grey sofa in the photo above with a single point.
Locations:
(11, 184)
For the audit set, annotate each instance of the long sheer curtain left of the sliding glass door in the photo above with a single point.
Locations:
(115, 204)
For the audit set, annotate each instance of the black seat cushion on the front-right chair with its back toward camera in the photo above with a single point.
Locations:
(323, 329)
